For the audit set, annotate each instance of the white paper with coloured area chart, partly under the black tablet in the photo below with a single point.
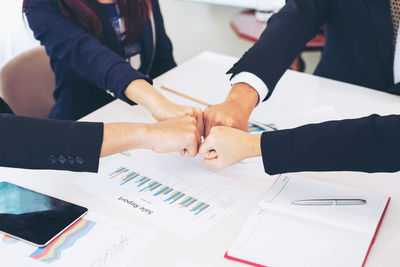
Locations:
(92, 241)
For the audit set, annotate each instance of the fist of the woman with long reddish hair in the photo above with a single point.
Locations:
(167, 110)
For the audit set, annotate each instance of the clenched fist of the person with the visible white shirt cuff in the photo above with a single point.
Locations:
(235, 111)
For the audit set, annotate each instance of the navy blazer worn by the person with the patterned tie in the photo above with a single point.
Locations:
(358, 48)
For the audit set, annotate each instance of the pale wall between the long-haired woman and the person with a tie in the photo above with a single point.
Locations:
(195, 27)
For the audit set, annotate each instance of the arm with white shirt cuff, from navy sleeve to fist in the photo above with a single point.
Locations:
(286, 35)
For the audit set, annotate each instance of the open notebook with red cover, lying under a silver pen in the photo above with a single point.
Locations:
(279, 233)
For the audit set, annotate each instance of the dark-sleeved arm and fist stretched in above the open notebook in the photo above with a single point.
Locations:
(369, 144)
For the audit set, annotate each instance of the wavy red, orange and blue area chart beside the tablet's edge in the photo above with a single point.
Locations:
(53, 251)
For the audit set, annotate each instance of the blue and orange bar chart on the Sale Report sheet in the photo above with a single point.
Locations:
(168, 194)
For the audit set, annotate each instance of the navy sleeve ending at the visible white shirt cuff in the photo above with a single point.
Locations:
(287, 33)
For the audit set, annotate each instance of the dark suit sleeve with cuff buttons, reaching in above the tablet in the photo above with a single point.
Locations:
(49, 144)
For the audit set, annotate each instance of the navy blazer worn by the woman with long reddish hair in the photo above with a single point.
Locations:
(86, 68)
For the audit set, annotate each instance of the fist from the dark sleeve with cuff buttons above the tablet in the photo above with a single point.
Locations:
(174, 135)
